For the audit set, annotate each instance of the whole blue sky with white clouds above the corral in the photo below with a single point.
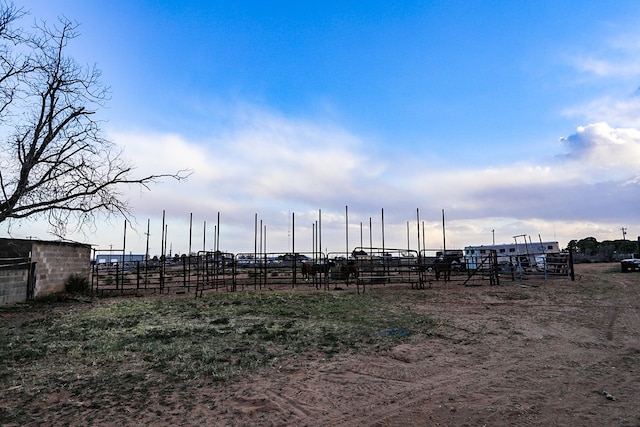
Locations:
(519, 117)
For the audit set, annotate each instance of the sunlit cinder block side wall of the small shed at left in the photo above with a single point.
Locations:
(56, 262)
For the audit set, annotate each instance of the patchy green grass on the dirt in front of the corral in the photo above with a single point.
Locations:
(125, 348)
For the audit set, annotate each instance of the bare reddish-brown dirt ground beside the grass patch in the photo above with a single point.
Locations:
(555, 353)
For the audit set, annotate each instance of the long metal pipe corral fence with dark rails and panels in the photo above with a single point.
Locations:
(362, 268)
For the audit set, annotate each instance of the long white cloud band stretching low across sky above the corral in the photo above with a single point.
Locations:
(272, 166)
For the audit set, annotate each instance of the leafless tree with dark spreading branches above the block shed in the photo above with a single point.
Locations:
(54, 161)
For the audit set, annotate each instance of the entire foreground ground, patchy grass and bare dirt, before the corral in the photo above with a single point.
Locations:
(522, 353)
